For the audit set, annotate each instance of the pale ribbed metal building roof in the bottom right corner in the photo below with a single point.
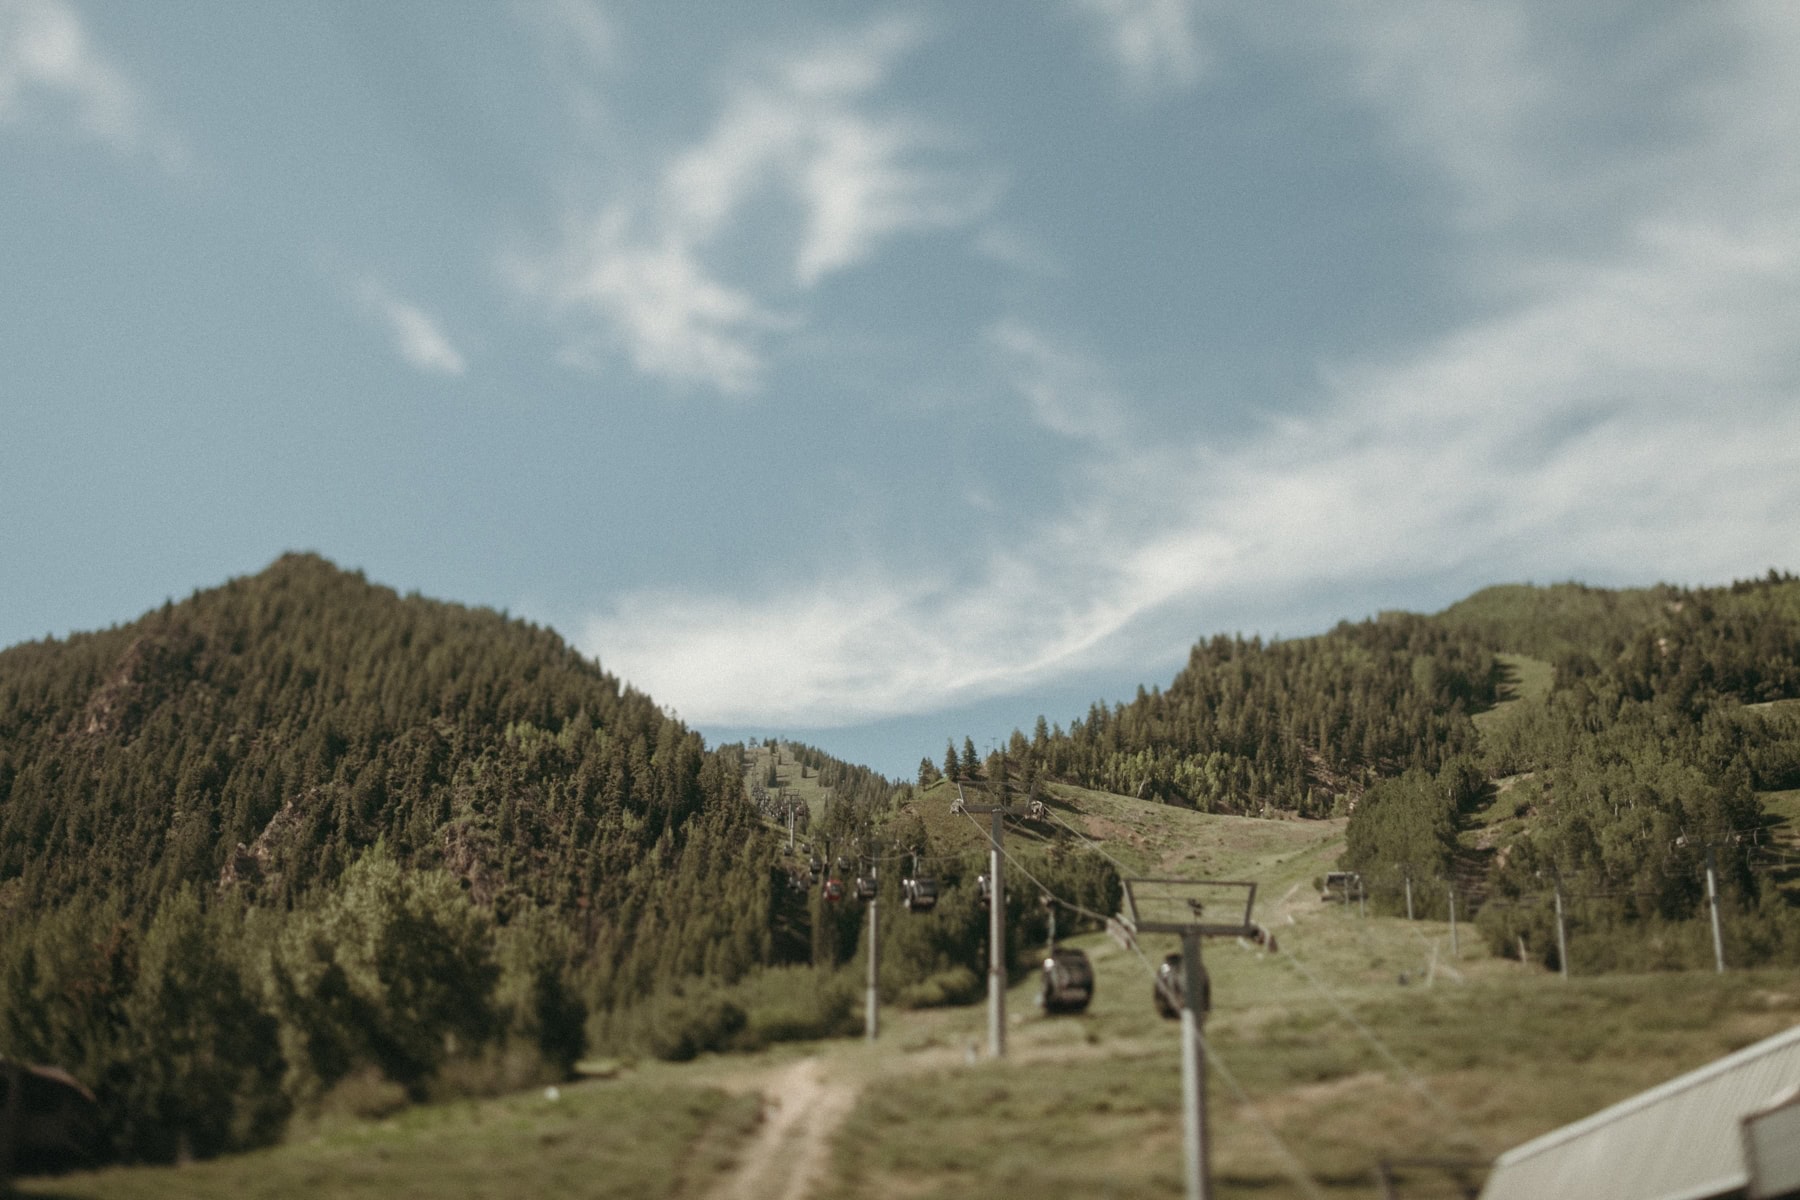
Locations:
(1678, 1142)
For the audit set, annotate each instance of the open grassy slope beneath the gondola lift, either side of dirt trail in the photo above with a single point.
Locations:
(1092, 1106)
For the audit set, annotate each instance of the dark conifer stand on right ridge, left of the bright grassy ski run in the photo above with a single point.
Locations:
(1250, 726)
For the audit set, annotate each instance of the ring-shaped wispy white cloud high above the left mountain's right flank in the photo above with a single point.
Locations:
(649, 273)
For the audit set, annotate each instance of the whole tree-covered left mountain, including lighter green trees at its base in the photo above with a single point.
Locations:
(391, 836)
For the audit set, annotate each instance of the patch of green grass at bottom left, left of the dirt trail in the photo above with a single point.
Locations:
(598, 1142)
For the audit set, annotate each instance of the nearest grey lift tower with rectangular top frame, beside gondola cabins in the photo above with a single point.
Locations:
(1194, 909)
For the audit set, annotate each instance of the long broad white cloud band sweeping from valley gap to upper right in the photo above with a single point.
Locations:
(1628, 409)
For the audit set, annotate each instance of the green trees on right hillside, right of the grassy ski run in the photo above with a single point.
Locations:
(1642, 762)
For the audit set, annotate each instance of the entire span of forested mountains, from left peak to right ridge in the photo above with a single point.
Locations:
(300, 845)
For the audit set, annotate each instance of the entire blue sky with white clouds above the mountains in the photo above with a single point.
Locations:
(879, 375)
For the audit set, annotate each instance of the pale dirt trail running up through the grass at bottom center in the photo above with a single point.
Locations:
(789, 1156)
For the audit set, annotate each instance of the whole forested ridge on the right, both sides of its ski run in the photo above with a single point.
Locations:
(1657, 739)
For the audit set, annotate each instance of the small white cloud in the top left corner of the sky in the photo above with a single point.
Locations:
(51, 71)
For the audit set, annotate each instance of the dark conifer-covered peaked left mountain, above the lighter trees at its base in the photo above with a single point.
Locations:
(303, 715)
